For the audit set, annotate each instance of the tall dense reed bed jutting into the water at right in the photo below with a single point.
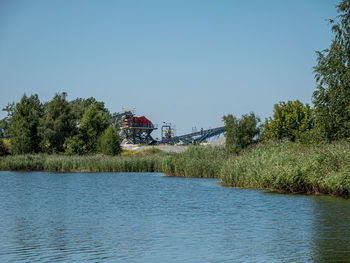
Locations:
(292, 167)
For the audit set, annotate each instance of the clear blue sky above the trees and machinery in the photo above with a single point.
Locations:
(186, 62)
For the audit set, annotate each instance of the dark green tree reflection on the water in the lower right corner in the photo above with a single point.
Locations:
(331, 229)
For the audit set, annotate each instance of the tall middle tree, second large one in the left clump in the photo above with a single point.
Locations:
(57, 125)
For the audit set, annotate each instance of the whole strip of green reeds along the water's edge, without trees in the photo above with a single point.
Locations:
(275, 166)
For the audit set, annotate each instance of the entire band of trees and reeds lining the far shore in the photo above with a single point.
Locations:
(300, 149)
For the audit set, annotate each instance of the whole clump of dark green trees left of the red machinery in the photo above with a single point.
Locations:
(81, 126)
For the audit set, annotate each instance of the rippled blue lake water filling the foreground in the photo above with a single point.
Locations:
(120, 217)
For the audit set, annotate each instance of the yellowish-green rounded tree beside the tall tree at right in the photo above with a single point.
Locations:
(290, 120)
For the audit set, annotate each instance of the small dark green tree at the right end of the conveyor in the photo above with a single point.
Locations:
(240, 132)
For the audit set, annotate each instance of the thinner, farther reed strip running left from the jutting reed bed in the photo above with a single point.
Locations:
(196, 162)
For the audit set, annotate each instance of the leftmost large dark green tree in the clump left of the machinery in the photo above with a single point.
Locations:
(24, 123)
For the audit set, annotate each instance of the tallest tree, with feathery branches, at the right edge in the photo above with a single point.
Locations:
(332, 73)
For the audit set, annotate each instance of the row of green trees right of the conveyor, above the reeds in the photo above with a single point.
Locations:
(328, 120)
